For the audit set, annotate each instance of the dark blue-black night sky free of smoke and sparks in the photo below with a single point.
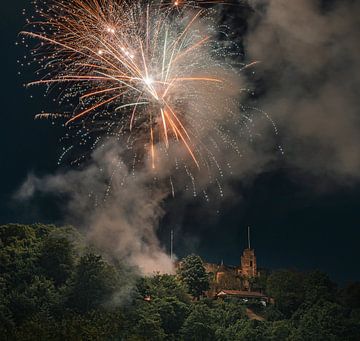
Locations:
(295, 224)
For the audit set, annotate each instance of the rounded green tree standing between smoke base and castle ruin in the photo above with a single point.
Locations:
(193, 274)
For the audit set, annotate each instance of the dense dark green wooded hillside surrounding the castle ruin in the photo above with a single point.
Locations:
(55, 287)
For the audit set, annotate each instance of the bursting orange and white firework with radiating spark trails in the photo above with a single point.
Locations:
(137, 69)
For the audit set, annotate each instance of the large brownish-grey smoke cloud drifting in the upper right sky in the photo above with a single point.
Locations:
(311, 68)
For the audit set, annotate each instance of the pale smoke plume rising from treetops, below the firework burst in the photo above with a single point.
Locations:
(121, 223)
